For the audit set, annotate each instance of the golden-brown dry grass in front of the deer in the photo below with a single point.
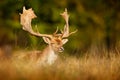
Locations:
(87, 67)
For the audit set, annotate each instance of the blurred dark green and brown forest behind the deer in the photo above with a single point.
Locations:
(97, 21)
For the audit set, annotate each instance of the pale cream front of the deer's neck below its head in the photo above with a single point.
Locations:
(49, 55)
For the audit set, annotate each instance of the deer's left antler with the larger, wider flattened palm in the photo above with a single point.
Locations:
(26, 18)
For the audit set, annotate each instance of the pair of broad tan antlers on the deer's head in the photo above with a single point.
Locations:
(27, 16)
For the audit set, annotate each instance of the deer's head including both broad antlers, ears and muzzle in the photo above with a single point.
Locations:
(55, 40)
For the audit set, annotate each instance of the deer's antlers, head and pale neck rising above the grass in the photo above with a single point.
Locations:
(55, 41)
